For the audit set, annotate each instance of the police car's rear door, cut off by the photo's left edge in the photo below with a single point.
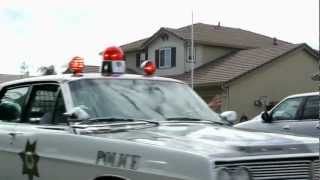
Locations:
(8, 149)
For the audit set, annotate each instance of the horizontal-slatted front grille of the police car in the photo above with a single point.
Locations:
(278, 169)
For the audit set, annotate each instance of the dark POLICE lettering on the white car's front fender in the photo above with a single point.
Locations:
(119, 160)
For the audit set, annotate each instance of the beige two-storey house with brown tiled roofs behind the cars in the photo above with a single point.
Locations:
(249, 70)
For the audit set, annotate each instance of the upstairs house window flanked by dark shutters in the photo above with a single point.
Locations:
(165, 57)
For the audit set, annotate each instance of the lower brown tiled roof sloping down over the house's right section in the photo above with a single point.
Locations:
(237, 64)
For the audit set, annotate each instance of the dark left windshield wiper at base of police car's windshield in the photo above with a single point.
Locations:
(114, 119)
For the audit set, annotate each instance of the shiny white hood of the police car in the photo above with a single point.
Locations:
(221, 141)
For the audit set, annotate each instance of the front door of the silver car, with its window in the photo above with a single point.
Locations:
(286, 116)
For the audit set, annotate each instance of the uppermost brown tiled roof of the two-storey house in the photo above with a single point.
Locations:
(210, 35)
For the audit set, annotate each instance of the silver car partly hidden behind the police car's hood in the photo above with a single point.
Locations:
(296, 114)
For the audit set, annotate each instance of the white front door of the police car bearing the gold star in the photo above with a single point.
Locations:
(46, 144)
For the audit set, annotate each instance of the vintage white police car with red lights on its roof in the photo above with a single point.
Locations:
(113, 126)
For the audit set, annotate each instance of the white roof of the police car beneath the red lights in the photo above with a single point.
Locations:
(71, 77)
